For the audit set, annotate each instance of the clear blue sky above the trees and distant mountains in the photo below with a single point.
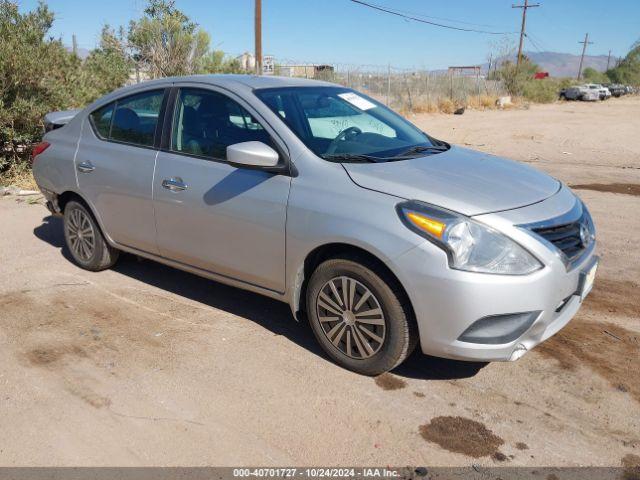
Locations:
(342, 32)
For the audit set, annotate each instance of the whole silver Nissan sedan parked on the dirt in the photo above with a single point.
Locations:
(380, 235)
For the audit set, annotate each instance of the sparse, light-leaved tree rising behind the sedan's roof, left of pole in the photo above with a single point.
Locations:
(166, 42)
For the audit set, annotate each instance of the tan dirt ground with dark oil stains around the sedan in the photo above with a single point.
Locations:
(146, 365)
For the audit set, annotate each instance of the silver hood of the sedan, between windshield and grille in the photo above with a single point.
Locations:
(462, 180)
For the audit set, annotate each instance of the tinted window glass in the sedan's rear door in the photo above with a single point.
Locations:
(136, 117)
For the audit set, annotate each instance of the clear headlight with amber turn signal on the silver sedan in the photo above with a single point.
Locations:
(470, 245)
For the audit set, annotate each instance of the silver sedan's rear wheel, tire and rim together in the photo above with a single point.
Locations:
(84, 239)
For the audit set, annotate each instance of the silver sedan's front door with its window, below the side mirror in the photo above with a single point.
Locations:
(210, 214)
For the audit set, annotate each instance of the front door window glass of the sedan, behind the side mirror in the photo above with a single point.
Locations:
(207, 122)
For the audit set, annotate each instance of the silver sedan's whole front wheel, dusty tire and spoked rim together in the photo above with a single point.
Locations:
(394, 325)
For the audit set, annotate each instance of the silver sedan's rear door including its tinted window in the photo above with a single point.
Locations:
(115, 164)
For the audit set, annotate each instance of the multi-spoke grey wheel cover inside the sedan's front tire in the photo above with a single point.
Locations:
(351, 317)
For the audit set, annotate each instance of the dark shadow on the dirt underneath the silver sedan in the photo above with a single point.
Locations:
(270, 314)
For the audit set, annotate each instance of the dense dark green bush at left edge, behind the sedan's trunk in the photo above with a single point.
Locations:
(38, 75)
